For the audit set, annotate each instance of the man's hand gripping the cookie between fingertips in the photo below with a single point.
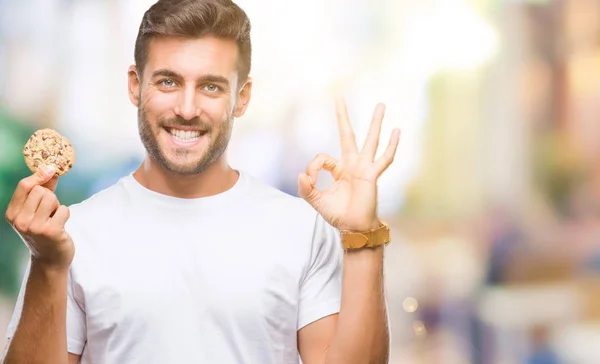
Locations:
(36, 214)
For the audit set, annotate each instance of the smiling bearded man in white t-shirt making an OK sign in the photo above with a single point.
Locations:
(187, 260)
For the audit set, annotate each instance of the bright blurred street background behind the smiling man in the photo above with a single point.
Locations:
(494, 197)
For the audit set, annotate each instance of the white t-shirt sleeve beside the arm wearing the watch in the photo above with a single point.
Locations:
(321, 286)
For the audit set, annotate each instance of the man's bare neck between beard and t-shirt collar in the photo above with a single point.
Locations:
(216, 179)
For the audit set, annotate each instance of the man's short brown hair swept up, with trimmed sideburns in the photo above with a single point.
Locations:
(195, 19)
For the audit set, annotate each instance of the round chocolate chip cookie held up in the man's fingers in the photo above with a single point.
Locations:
(48, 147)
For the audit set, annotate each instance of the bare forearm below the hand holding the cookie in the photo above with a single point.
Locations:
(40, 336)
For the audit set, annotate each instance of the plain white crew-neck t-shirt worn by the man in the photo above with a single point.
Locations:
(228, 278)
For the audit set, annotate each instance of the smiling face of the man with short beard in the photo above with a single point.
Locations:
(187, 98)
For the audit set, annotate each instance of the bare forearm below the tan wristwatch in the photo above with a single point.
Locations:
(362, 333)
